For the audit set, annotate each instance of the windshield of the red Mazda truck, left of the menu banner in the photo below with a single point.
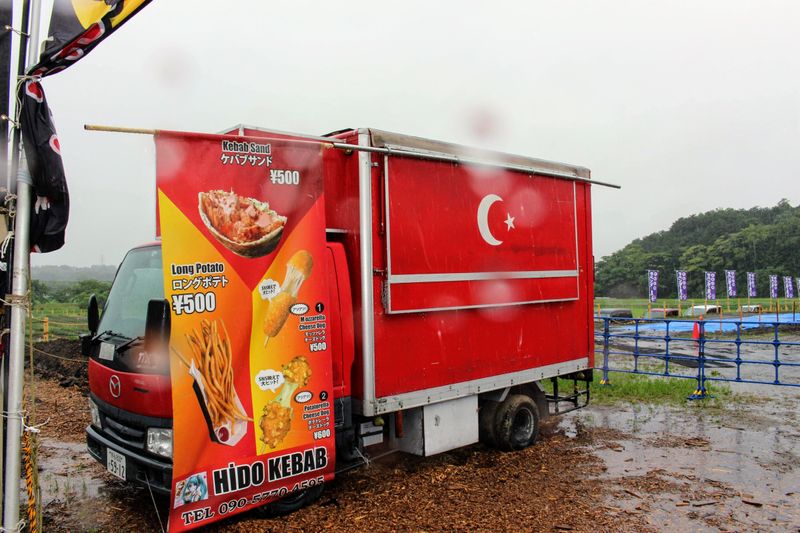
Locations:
(139, 280)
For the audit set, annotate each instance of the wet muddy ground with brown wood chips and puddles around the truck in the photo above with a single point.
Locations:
(621, 468)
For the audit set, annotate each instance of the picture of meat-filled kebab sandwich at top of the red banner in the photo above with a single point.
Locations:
(245, 226)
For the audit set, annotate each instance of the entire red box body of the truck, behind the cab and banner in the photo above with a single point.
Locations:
(482, 275)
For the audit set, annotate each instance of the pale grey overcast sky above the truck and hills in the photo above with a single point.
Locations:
(688, 105)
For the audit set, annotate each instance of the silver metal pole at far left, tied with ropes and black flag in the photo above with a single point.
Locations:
(19, 295)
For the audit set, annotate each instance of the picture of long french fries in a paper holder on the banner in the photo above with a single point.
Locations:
(210, 366)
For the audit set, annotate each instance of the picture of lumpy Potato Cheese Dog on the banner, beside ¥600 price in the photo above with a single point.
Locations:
(276, 420)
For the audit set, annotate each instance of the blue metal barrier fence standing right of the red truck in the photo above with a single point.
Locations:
(748, 350)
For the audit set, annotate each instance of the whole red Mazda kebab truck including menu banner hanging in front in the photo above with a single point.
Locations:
(451, 282)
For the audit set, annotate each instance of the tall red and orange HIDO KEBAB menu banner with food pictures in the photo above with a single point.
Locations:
(243, 237)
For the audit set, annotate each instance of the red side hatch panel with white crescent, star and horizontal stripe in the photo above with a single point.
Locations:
(461, 236)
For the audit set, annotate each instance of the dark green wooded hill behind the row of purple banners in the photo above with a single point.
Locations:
(761, 240)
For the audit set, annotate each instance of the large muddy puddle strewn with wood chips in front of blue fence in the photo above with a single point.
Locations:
(705, 470)
